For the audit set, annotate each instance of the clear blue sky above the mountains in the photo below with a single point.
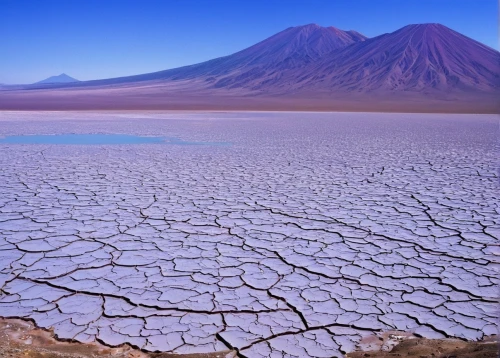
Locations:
(91, 39)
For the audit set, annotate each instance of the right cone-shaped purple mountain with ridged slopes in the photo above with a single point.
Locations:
(422, 57)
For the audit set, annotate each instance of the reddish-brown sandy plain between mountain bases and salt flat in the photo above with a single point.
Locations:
(170, 97)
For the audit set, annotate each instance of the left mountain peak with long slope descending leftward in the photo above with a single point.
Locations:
(293, 48)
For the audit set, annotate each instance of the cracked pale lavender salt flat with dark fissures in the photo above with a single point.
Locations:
(309, 232)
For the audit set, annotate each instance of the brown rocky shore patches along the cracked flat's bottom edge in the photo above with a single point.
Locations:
(21, 338)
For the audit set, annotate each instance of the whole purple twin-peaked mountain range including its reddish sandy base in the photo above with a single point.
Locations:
(304, 67)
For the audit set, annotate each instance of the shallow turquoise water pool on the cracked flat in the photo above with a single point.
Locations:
(96, 139)
